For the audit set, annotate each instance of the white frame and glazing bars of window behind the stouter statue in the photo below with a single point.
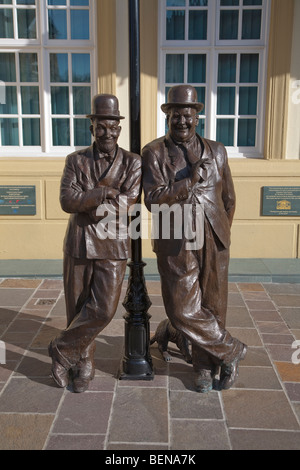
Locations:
(212, 47)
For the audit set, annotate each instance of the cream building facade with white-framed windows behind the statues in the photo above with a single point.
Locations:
(242, 57)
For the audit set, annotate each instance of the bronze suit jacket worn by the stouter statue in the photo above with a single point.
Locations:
(164, 185)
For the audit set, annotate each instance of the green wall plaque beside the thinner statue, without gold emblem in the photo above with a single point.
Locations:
(17, 200)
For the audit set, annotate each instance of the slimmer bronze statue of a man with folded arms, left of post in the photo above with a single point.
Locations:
(94, 266)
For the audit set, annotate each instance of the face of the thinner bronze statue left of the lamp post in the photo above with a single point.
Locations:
(106, 134)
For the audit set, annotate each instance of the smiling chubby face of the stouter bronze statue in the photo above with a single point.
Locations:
(182, 123)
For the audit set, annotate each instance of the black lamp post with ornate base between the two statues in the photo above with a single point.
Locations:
(137, 362)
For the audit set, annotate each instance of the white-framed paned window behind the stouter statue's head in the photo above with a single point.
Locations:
(219, 47)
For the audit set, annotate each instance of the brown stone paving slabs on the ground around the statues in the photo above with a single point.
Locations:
(262, 411)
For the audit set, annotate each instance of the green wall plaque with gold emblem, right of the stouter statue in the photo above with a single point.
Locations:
(281, 201)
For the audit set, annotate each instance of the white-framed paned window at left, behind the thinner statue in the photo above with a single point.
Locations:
(47, 75)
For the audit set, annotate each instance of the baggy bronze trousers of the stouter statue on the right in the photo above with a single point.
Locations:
(195, 291)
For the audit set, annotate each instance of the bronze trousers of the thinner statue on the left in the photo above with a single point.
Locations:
(92, 292)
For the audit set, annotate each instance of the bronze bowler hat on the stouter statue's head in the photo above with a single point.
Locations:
(184, 96)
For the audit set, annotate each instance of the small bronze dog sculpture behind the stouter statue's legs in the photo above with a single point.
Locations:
(165, 332)
